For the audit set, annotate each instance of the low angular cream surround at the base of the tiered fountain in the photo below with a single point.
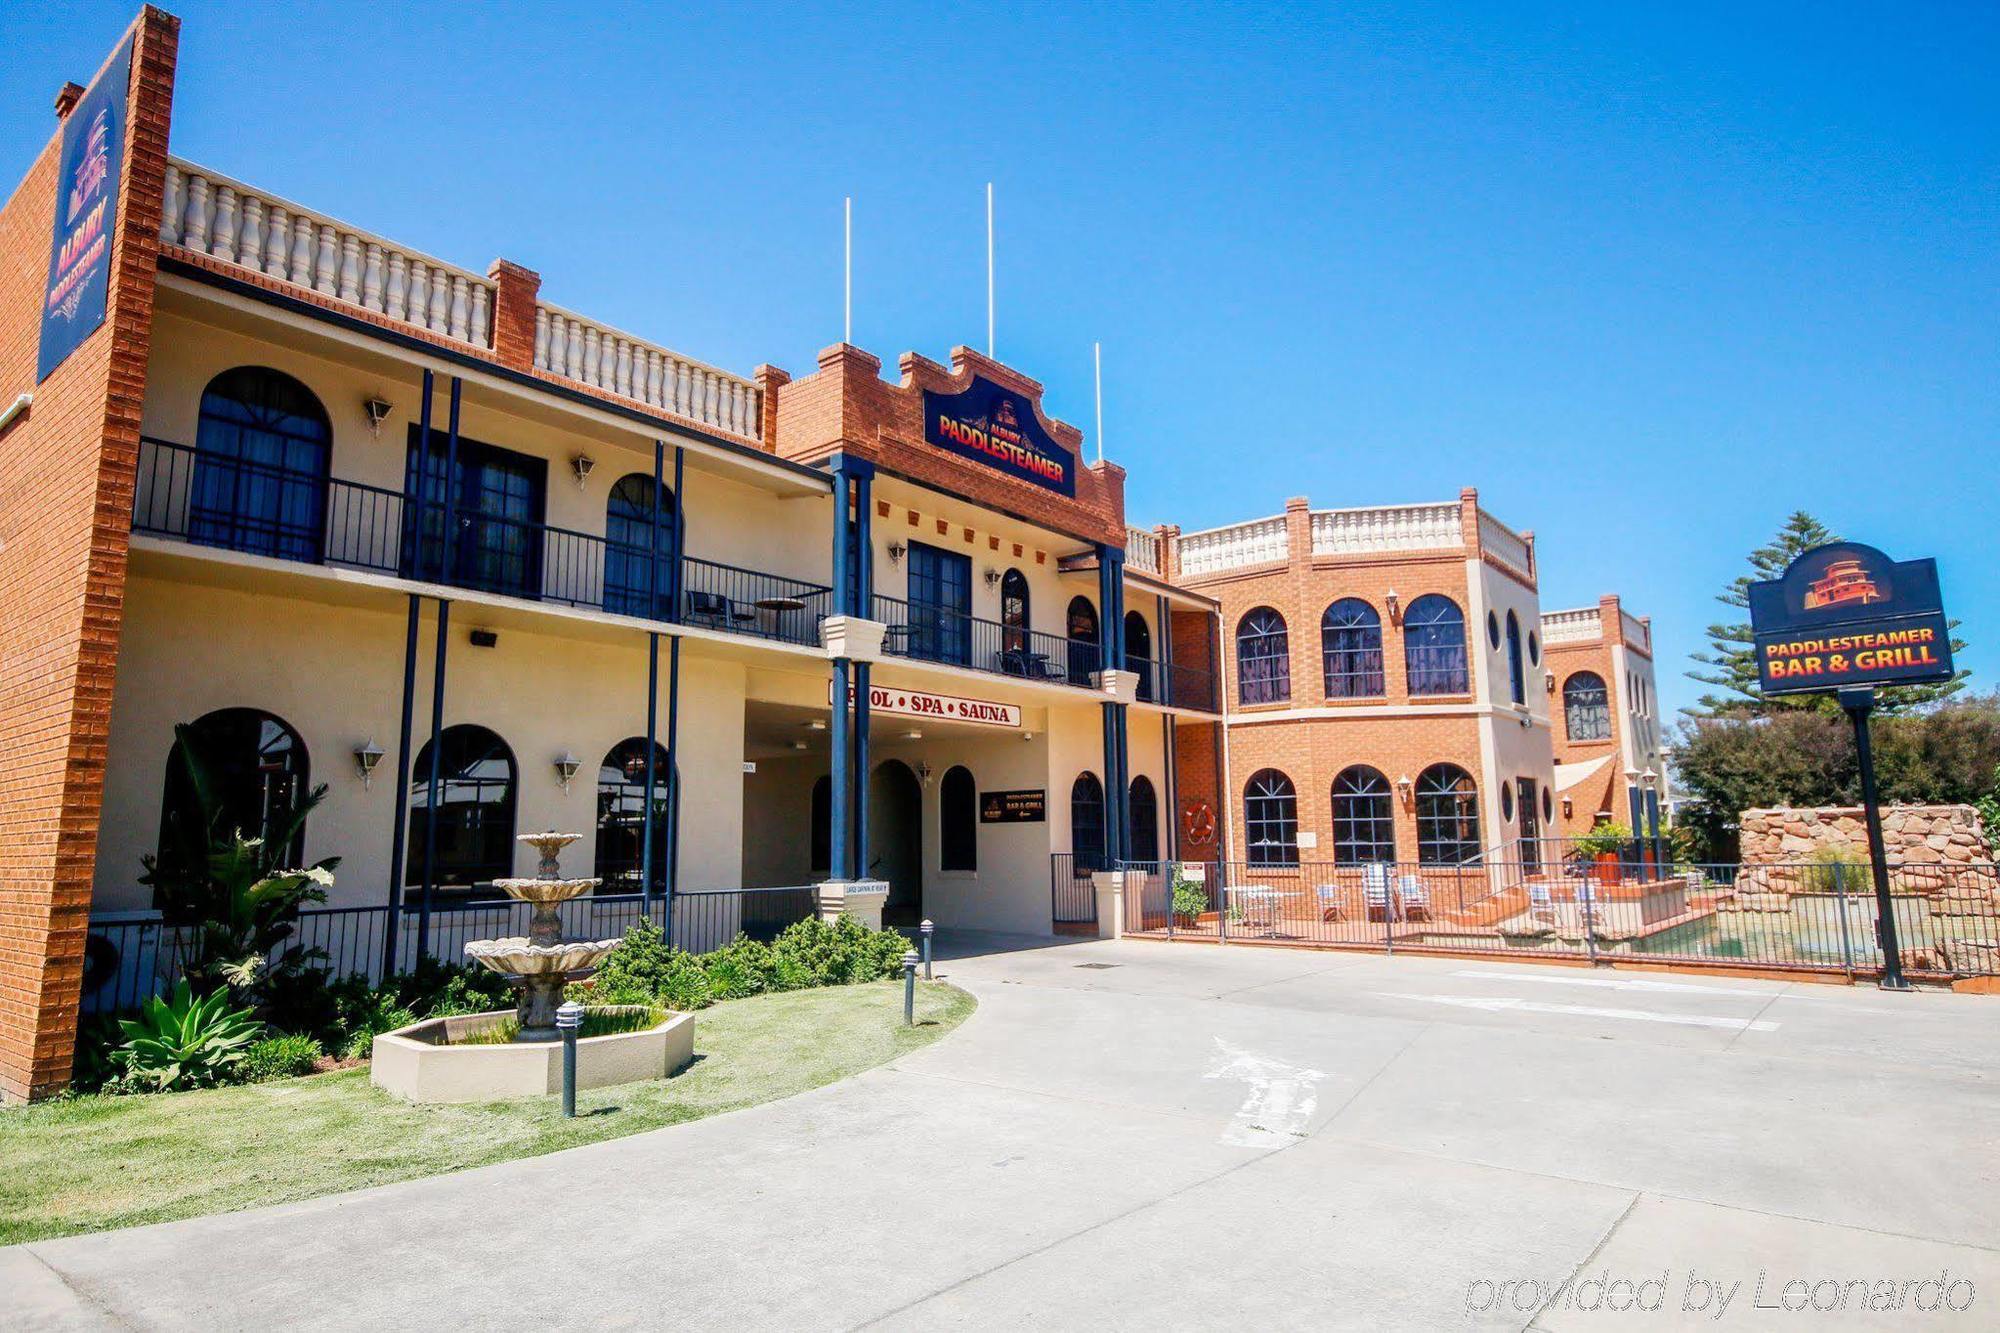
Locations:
(421, 1064)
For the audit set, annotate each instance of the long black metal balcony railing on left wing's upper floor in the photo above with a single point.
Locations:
(281, 513)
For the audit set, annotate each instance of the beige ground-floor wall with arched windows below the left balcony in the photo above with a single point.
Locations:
(335, 674)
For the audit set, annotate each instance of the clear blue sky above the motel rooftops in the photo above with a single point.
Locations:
(1649, 279)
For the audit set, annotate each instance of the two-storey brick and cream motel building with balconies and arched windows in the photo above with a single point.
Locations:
(483, 565)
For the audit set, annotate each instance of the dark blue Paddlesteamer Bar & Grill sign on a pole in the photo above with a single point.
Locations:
(1847, 619)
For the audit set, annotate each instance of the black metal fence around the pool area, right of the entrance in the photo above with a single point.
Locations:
(1791, 918)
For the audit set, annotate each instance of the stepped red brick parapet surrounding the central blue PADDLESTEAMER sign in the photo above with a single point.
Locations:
(849, 407)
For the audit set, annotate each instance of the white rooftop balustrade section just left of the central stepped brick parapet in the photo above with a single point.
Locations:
(603, 357)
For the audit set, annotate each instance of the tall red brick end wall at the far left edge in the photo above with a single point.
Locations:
(67, 477)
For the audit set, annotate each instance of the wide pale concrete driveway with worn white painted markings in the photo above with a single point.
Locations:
(1173, 1136)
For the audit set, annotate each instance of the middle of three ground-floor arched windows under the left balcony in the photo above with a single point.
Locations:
(475, 810)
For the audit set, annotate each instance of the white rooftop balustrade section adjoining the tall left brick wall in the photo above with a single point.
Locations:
(253, 229)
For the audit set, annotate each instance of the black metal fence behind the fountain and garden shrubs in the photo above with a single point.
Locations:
(131, 962)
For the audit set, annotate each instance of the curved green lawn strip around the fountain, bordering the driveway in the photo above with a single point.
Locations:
(119, 1162)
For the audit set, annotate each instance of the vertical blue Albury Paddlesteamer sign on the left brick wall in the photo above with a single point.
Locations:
(87, 215)
